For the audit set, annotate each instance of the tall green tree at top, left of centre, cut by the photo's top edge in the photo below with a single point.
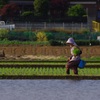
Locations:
(41, 7)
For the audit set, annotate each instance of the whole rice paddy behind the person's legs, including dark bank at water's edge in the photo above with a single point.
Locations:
(46, 70)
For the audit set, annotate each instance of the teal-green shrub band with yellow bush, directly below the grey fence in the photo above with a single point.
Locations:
(42, 35)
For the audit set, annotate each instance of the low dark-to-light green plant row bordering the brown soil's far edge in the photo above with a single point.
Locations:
(48, 43)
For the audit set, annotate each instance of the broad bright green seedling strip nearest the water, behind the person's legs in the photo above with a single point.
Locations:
(47, 71)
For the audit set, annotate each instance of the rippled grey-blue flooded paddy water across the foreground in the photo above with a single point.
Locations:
(49, 89)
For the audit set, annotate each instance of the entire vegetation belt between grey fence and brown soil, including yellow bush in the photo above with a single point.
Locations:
(47, 37)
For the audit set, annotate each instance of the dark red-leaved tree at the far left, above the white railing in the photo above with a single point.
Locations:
(9, 11)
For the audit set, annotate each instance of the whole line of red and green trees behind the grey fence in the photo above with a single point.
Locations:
(47, 10)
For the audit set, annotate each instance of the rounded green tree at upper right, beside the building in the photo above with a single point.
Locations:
(76, 10)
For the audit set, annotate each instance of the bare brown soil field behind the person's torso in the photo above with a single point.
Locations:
(28, 51)
